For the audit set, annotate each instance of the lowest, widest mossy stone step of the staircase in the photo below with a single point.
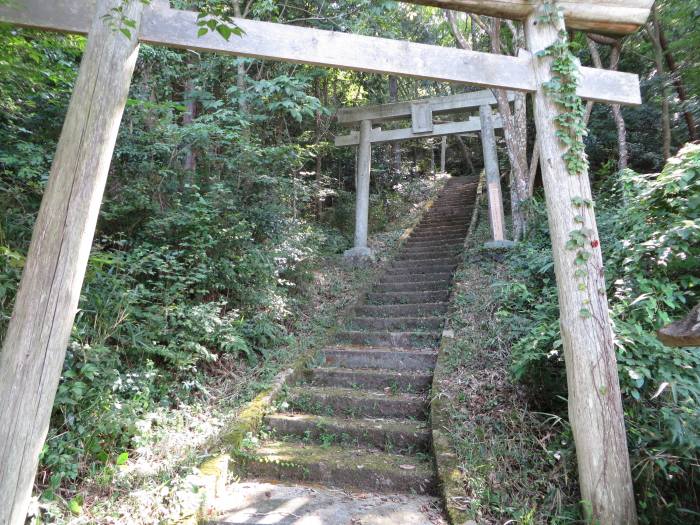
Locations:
(343, 467)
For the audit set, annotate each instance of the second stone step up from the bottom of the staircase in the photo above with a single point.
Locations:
(385, 434)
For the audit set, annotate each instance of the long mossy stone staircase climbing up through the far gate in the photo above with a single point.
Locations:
(359, 419)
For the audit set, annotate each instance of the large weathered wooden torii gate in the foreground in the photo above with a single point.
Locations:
(34, 347)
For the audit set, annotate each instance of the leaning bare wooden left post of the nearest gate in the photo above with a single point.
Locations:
(34, 348)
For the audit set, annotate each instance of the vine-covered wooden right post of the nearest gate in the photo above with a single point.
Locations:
(595, 405)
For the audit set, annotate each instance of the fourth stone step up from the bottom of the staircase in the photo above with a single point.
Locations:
(370, 378)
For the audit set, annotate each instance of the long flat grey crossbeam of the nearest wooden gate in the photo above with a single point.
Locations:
(177, 28)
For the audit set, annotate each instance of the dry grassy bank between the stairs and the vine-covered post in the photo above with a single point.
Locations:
(509, 458)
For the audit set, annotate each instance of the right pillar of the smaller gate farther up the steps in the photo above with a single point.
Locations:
(493, 176)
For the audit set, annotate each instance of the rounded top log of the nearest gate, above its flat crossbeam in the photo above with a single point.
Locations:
(617, 17)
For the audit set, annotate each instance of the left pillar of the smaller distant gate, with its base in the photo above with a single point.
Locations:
(362, 180)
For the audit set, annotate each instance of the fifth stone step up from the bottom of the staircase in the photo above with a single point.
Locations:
(408, 360)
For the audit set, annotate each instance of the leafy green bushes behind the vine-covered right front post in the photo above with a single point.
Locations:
(651, 233)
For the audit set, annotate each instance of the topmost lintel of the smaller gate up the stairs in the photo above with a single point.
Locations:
(401, 110)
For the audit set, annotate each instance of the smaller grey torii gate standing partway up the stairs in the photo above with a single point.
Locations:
(421, 114)
